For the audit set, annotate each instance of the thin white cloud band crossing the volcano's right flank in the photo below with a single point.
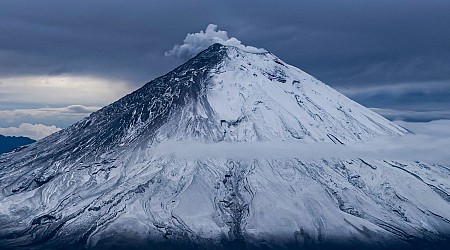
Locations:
(430, 143)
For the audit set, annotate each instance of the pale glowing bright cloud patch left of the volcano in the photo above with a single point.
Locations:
(49, 100)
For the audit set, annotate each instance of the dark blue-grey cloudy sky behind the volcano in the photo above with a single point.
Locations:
(61, 60)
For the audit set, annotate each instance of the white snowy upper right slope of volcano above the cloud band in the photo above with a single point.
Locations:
(257, 97)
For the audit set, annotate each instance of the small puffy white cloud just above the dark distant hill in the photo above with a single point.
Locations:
(33, 131)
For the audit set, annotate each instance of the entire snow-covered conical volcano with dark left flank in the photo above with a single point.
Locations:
(102, 183)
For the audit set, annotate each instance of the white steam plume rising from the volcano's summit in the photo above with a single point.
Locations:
(197, 42)
